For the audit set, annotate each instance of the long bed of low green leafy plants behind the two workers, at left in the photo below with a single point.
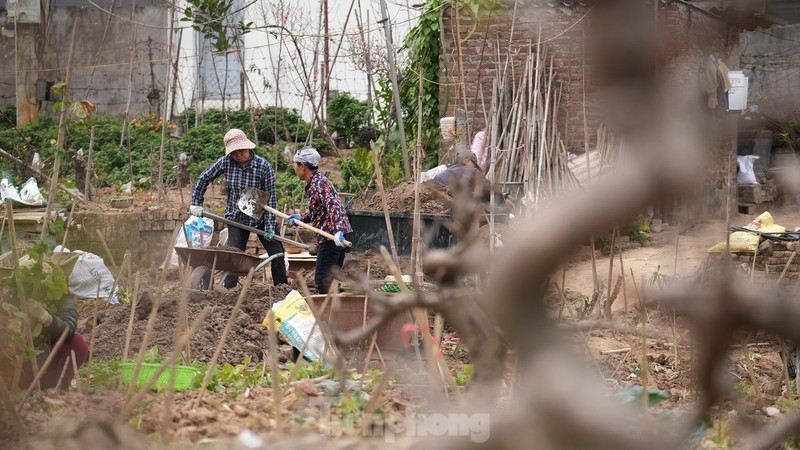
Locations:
(113, 164)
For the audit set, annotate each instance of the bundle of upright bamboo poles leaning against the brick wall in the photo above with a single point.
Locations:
(524, 136)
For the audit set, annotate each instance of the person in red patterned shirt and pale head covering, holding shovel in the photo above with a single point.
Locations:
(326, 212)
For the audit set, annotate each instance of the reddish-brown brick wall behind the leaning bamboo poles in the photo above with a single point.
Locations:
(689, 37)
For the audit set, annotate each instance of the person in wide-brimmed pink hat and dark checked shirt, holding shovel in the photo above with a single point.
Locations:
(243, 169)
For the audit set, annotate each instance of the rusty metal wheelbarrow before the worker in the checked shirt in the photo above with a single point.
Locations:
(206, 262)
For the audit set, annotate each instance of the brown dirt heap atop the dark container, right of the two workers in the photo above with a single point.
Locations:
(434, 198)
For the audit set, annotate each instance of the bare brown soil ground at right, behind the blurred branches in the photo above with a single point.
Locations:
(617, 357)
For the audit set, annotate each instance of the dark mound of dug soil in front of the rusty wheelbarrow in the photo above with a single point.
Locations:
(247, 339)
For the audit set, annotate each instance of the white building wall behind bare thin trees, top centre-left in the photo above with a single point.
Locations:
(272, 63)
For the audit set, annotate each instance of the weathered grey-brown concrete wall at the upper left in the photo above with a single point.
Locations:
(101, 71)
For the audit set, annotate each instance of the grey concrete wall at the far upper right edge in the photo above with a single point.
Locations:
(769, 58)
